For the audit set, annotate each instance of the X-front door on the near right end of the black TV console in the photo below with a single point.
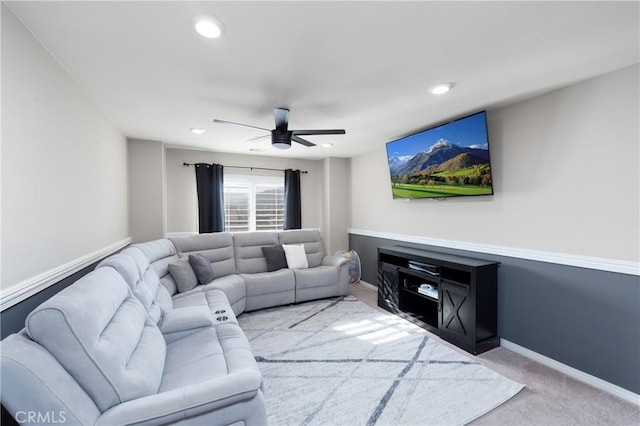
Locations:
(456, 315)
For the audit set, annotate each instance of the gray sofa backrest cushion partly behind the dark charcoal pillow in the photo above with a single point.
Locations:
(248, 250)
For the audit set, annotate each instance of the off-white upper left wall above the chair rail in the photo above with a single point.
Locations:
(64, 166)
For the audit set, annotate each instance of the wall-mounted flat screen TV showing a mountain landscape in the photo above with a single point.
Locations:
(450, 160)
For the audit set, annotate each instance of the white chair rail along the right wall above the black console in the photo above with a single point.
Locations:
(602, 264)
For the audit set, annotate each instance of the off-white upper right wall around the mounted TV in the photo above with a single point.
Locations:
(565, 171)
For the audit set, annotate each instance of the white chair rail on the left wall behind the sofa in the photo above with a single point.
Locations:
(27, 288)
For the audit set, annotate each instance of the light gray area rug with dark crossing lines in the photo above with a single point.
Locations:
(340, 362)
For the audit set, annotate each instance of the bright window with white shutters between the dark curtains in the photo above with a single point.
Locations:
(253, 203)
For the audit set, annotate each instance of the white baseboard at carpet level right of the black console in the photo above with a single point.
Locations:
(573, 373)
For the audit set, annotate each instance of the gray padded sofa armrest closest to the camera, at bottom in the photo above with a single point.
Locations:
(192, 400)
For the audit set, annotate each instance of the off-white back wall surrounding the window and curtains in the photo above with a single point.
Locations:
(182, 200)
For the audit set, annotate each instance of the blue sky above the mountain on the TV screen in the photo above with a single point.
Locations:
(467, 132)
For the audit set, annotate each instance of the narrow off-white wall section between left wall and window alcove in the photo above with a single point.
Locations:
(147, 218)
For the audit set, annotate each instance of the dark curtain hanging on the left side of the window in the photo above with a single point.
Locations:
(210, 187)
